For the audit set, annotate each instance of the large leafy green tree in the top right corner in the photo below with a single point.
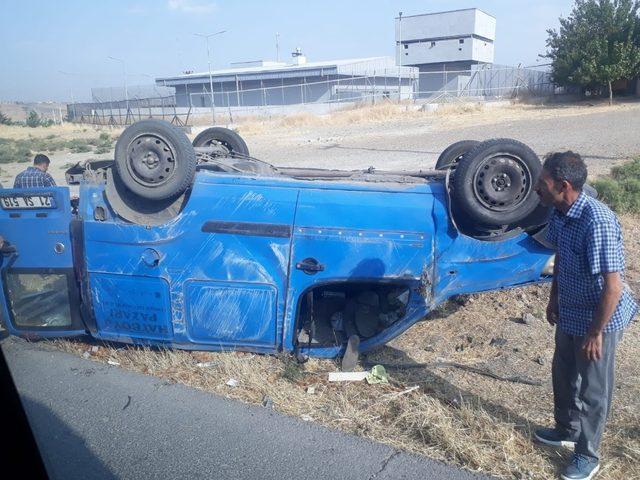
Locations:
(598, 44)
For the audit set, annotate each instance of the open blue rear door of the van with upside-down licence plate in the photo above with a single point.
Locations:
(40, 293)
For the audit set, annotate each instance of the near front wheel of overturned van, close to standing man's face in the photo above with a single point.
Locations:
(494, 182)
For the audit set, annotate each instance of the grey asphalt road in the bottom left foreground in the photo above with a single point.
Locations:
(96, 421)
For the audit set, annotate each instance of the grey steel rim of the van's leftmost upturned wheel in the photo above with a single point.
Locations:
(151, 160)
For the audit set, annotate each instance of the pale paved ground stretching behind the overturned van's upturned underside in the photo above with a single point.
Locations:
(602, 135)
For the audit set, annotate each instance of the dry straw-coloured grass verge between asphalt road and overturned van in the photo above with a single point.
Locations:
(474, 421)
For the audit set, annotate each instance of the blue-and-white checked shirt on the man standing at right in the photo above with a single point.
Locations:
(588, 241)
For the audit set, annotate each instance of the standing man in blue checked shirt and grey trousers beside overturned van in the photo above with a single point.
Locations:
(590, 305)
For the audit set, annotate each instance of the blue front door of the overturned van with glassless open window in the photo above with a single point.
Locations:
(371, 243)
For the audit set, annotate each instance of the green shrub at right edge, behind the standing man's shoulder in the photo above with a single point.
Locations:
(621, 189)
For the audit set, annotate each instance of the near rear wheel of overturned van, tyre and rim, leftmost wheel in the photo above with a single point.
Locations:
(155, 160)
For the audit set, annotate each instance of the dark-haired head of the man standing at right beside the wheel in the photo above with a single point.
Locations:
(562, 178)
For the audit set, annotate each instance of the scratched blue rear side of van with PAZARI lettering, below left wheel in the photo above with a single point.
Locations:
(214, 277)
